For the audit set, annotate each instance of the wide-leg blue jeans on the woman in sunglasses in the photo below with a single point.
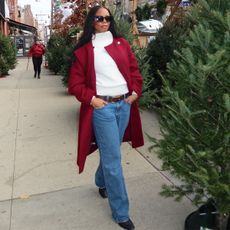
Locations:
(110, 123)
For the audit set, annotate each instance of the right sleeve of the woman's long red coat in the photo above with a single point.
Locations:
(135, 74)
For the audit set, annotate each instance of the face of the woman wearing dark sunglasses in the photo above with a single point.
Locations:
(102, 20)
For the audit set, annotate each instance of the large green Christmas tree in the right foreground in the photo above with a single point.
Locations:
(195, 113)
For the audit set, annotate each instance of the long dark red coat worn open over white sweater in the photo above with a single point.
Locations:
(82, 84)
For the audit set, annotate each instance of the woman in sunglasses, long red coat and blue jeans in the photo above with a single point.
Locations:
(105, 78)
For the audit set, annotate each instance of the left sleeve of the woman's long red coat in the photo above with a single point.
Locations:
(77, 82)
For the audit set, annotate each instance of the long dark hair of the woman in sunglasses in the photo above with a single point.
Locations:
(89, 30)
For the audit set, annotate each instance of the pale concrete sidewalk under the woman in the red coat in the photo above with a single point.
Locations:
(40, 188)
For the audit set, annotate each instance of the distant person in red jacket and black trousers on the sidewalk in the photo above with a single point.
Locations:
(37, 50)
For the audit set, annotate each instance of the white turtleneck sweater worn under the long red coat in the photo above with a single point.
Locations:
(109, 80)
